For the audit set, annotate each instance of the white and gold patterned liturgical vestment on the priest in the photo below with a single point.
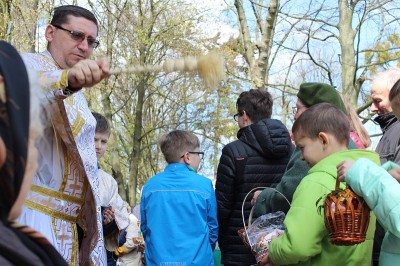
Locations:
(65, 191)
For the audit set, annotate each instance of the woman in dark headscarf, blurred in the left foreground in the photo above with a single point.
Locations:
(19, 244)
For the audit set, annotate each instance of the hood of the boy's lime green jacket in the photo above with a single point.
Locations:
(328, 164)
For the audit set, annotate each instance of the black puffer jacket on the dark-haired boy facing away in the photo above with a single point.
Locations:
(257, 159)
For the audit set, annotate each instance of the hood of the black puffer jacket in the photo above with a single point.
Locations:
(269, 137)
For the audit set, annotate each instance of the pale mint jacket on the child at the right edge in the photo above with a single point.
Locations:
(382, 194)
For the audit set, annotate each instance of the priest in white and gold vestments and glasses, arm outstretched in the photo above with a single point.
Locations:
(62, 203)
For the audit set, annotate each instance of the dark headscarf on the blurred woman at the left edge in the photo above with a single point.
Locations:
(14, 125)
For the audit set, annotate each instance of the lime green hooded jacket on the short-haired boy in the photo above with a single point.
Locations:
(306, 240)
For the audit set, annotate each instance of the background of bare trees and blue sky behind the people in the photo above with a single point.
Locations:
(276, 44)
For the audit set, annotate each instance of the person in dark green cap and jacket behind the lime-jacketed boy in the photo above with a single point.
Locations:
(268, 200)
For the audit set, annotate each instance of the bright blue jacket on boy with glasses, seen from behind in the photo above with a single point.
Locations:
(179, 218)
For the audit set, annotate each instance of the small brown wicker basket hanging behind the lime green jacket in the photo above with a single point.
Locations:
(346, 216)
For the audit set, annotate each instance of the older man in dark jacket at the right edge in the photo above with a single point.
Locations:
(389, 145)
